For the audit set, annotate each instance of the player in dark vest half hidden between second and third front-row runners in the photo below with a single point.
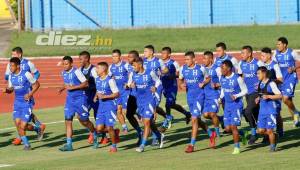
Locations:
(89, 71)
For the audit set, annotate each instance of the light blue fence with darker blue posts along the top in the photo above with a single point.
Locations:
(94, 14)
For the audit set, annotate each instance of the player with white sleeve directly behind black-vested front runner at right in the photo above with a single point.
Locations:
(276, 76)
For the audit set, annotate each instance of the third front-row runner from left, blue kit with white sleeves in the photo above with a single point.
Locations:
(107, 93)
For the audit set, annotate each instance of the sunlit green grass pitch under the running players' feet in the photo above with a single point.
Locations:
(45, 154)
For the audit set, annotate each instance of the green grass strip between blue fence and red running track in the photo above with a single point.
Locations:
(180, 39)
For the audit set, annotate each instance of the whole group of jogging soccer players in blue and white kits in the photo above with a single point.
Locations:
(134, 90)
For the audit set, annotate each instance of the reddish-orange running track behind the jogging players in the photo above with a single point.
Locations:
(50, 80)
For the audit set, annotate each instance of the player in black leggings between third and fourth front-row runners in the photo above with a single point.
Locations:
(132, 105)
